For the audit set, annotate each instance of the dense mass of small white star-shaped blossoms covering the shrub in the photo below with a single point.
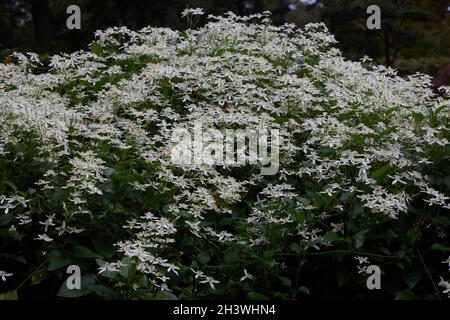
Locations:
(357, 142)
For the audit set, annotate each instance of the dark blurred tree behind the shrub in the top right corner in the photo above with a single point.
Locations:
(407, 27)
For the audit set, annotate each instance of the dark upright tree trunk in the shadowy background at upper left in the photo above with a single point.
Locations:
(41, 24)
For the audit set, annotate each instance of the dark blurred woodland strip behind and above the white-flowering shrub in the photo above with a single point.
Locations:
(415, 34)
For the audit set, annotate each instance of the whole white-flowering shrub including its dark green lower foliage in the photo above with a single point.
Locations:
(87, 177)
